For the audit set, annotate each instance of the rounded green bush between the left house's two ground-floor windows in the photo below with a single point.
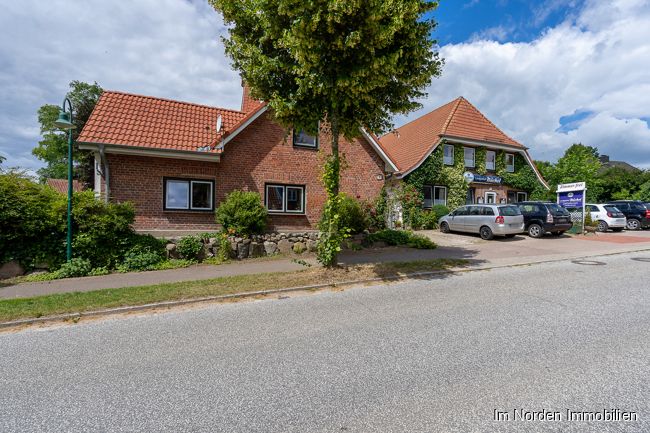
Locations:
(243, 213)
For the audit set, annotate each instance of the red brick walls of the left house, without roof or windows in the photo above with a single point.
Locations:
(262, 153)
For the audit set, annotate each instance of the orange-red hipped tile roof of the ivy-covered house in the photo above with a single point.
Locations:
(410, 144)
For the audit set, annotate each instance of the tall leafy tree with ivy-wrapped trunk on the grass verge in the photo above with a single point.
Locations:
(349, 63)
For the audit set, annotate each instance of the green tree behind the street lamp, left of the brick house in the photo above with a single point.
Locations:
(53, 147)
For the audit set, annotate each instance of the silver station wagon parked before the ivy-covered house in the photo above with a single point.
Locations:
(488, 220)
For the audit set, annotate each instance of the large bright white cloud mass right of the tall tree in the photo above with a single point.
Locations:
(597, 62)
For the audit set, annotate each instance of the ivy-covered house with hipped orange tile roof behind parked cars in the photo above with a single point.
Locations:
(454, 155)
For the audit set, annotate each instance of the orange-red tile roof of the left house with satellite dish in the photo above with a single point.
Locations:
(143, 121)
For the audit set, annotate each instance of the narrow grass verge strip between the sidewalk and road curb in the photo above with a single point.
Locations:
(49, 305)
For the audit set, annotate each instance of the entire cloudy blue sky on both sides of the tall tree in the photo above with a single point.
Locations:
(549, 73)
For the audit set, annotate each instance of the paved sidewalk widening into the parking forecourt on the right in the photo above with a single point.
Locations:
(480, 254)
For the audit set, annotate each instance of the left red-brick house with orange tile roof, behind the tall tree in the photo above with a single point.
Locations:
(176, 162)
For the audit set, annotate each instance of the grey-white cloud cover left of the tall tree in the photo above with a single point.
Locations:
(166, 48)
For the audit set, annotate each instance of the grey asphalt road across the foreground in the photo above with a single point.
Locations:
(435, 355)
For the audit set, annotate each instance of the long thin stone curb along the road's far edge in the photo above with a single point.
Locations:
(170, 304)
